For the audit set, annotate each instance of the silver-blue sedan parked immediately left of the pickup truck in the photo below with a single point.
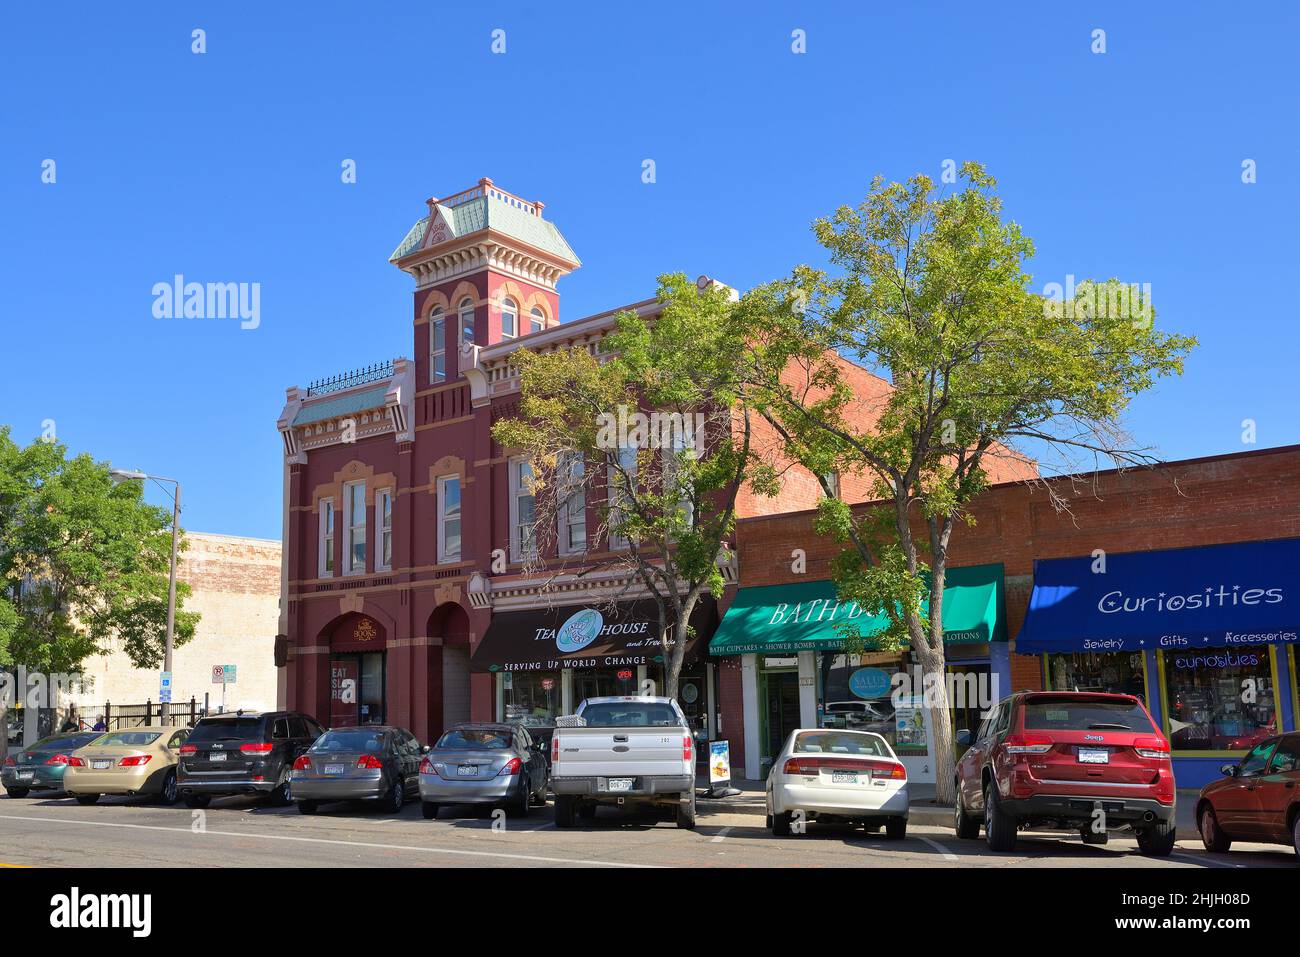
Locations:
(484, 765)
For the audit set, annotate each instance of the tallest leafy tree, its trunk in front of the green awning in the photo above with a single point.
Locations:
(930, 292)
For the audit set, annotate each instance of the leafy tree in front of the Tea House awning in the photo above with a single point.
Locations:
(664, 490)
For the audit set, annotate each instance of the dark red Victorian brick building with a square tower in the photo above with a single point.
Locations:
(405, 595)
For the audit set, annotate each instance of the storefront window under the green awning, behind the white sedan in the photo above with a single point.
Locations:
(855, 692)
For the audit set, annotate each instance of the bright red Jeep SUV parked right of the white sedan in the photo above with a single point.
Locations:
(1071, 761)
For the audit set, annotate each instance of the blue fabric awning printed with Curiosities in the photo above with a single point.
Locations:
(1212, 597)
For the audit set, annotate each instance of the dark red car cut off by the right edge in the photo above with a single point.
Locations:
(1258, 800)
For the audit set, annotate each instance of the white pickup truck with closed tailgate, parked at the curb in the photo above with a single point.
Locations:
(625, 752)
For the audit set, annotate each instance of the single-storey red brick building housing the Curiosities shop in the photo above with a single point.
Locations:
(1194, 506)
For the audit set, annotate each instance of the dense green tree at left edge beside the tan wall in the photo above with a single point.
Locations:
(84, 562)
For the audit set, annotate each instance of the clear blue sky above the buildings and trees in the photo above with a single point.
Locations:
(226, 167)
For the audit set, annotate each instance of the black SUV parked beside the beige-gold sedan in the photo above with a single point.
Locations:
(244, 754)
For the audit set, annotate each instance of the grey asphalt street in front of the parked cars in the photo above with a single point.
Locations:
(132, 833)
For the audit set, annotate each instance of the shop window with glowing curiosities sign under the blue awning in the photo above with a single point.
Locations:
(1220, 699)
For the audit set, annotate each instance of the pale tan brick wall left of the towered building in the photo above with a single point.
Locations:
(236, 587)
